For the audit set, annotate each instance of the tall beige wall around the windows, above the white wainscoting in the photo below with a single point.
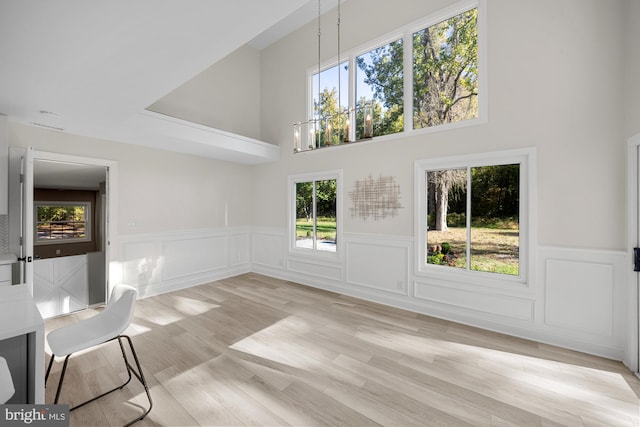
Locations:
(554, 70)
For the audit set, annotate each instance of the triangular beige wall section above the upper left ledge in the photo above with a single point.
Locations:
(224, 96)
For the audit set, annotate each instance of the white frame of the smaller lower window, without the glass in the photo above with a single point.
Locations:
(294, 179)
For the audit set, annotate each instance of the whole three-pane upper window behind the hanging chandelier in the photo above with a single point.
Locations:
(442, 86)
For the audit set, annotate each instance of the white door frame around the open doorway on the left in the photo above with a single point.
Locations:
(111, 246)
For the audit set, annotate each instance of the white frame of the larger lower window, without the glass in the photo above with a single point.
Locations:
(526, 158)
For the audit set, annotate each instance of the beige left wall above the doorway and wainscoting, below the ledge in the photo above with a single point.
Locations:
(158, 191)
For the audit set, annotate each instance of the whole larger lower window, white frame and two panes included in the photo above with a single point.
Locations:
(474, 213)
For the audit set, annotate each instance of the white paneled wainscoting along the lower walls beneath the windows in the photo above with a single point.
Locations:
(577, 300)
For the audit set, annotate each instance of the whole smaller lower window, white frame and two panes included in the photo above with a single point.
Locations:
(316, 212)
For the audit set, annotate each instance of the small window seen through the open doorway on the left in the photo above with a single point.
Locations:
(62, 222)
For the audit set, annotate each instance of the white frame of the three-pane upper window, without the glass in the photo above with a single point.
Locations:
(406, 34)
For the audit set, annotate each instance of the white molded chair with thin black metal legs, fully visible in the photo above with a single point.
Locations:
(108, 325)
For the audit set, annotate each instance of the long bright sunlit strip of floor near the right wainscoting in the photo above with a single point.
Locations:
(554, 382)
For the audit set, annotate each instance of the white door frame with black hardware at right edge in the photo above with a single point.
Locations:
(632, 353)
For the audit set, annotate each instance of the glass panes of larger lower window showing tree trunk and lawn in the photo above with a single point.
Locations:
(473, 218)
